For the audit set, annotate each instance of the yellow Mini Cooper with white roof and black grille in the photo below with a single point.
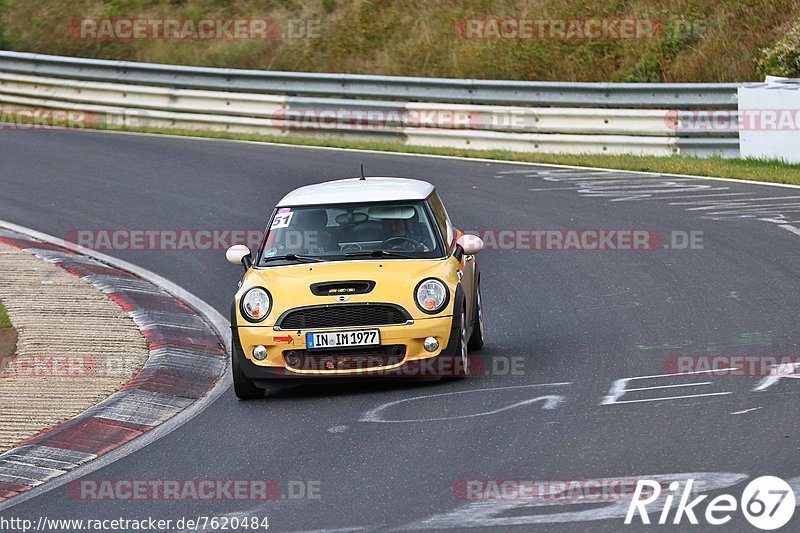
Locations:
(356, 278)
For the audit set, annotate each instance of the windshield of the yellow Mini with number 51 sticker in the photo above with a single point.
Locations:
(347, 231)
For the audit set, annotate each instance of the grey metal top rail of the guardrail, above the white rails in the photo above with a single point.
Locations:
(499, 92)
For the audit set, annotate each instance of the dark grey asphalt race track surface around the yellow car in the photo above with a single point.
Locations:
(579, 321)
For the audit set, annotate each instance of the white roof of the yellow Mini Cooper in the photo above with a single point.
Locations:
(357, 190)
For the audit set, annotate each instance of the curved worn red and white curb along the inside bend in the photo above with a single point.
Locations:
(187, 358)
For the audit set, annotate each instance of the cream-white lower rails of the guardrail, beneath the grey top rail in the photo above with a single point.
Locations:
(639, 131)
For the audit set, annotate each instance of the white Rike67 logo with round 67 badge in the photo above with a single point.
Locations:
(767, 503)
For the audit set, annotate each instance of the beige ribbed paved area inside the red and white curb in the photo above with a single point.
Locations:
(75, 347)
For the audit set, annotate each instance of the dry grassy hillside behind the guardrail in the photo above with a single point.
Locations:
(695, 40)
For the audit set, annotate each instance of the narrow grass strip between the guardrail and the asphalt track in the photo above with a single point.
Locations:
(773, 171)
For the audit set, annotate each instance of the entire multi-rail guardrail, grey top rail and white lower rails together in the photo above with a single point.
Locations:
(569, 117)
